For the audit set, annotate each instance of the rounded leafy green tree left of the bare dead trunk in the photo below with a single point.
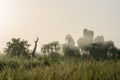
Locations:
(17, 47)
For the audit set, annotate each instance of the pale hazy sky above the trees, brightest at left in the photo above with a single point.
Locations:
(52, 20)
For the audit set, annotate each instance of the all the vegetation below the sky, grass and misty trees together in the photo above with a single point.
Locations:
(92, 59)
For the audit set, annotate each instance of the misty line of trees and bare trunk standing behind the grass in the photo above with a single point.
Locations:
(87, 47)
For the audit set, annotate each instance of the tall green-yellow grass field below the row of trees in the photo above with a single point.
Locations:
(66, 68)
